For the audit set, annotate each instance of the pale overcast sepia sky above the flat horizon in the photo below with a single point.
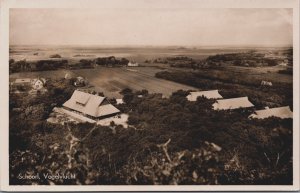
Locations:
(152, 26)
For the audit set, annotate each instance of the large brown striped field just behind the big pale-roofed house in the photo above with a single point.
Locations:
(111, 81)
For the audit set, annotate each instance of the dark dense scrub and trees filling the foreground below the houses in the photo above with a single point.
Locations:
(169, 141)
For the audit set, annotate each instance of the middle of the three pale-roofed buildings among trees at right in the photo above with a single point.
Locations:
(233, 103)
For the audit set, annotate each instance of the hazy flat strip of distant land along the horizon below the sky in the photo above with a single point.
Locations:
(32, 53)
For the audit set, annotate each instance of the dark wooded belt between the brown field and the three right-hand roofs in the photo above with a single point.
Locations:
(235, 85)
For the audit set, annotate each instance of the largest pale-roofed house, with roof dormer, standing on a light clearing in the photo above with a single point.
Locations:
(91, 106)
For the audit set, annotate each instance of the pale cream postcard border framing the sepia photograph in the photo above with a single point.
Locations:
(128, 4)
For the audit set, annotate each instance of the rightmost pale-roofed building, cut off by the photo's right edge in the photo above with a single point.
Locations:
(280, 112)
